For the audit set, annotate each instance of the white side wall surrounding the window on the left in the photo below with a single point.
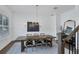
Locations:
(5, 40)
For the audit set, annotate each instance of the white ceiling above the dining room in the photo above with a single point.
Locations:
(41, 9)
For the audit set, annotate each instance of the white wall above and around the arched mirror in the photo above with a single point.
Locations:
(70, 15)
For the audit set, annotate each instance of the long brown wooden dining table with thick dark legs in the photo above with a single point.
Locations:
(35, 37)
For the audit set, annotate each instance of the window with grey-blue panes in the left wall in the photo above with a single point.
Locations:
(4, 28)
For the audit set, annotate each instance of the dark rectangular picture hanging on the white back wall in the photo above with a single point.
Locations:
(32, 26)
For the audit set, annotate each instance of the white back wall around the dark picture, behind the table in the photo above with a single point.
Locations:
(47, 24)
